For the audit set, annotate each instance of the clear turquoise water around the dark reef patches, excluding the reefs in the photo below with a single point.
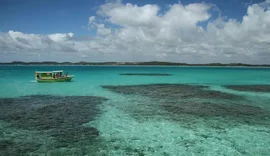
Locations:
(130, 125)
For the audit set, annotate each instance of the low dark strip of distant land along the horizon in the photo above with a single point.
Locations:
(151, 63)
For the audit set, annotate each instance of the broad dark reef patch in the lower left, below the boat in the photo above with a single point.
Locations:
(60, 117)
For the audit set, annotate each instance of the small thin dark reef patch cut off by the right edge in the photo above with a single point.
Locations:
(253, 88)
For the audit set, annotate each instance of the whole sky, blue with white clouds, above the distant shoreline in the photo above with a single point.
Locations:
(187, 31)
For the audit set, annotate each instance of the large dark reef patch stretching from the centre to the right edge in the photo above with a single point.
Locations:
(188, 102)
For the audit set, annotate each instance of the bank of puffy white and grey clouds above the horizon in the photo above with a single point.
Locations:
(143, 33)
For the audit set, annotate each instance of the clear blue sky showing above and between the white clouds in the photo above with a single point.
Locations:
(51, 16)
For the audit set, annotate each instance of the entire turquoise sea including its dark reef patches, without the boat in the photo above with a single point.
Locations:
(193, 111)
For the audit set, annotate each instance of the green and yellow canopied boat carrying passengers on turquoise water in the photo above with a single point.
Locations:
(52, 76)
